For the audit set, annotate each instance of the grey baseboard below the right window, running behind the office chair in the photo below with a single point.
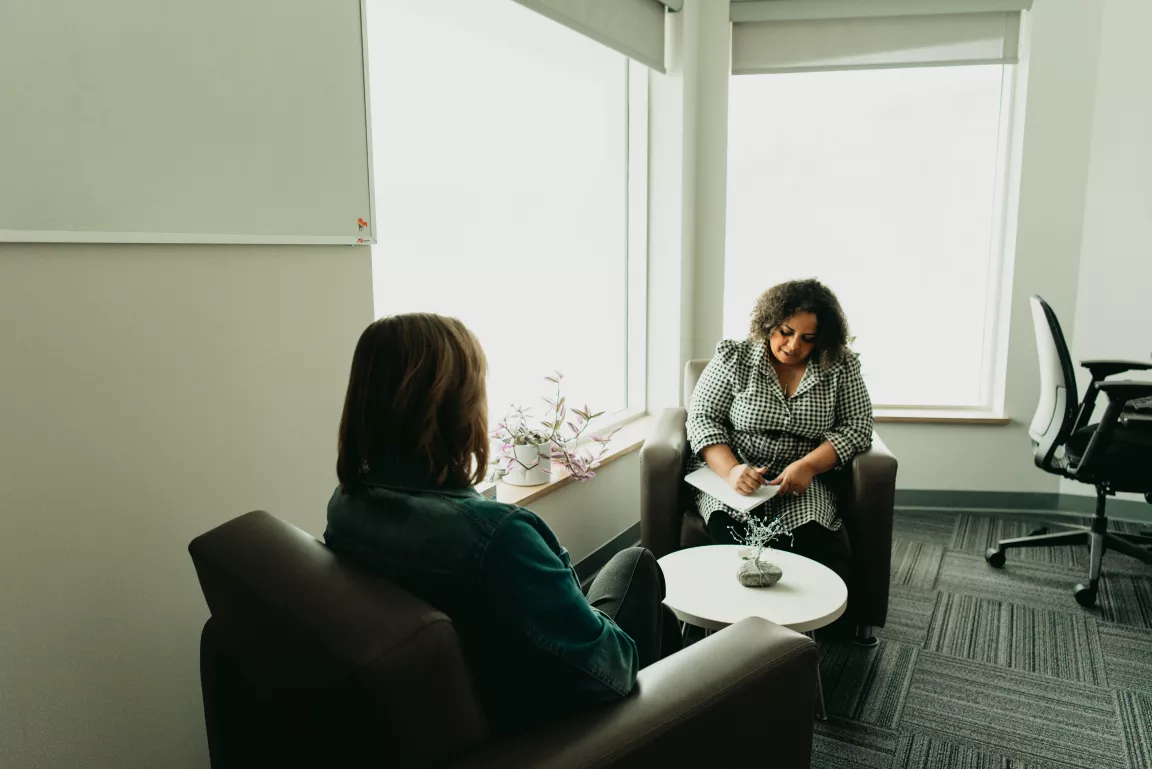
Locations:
(1039, 502)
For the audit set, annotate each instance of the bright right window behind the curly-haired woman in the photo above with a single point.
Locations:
(888, 186)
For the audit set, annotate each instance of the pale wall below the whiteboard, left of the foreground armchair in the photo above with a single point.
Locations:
(148, 394)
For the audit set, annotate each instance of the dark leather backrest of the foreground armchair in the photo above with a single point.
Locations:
(308, 661)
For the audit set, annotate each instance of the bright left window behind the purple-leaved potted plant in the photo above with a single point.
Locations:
(504, 148)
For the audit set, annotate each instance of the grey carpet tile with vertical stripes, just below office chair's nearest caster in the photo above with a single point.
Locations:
(1032, 639)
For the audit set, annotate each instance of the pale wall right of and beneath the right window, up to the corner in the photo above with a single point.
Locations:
(1060, 92)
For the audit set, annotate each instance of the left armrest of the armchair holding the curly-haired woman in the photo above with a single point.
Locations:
(662, 476)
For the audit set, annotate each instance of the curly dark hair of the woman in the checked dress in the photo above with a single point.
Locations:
(784, 301)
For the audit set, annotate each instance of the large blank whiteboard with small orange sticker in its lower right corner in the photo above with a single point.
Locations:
(191, 121)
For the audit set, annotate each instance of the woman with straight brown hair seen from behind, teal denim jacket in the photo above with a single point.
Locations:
(414, 441)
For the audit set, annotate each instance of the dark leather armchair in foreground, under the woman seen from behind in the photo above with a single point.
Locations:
(309, 663)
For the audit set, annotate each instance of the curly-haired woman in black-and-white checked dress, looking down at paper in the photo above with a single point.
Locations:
(782, 408)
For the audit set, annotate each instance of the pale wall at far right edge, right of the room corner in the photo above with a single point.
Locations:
(1113, 311)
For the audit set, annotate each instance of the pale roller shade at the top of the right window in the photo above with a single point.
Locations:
(875, 43)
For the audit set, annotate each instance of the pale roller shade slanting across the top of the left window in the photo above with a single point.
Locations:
(635, 28)
